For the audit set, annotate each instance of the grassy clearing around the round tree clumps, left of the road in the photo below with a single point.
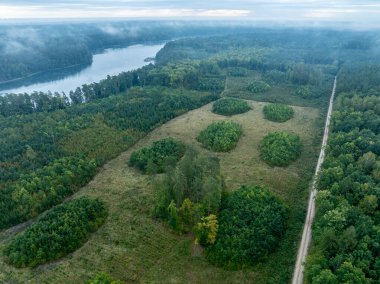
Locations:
(135, 248)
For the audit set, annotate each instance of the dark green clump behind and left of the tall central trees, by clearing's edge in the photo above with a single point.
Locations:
(158, 157)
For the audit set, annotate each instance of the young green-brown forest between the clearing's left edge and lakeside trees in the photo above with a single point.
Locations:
(36, 171)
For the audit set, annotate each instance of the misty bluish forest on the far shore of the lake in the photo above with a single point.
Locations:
(27, 49)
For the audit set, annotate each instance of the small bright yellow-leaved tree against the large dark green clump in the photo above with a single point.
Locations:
(206, 230)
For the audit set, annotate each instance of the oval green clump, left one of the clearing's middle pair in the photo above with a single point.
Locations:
(221, 136)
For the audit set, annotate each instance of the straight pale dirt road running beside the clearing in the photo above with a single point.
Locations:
(306, 234)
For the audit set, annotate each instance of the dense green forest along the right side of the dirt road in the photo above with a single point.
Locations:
(346, 229)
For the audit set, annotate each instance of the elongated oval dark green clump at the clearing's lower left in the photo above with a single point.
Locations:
(60, 231)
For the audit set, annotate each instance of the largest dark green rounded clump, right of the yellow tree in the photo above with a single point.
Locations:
(251, 223)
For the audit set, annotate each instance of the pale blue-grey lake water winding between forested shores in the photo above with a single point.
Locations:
(111, 62)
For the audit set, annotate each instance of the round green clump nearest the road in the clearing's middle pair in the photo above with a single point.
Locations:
(280, 148)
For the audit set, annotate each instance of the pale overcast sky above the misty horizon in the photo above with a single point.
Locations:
(360, 11)
